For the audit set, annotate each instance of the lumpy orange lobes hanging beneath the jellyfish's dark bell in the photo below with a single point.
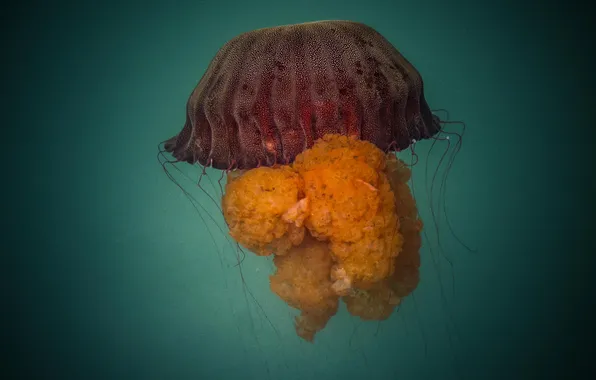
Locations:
(341, 222)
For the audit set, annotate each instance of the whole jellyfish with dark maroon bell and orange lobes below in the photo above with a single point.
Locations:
(305, 119)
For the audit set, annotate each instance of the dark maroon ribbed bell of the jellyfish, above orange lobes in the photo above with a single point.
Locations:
(269, 94)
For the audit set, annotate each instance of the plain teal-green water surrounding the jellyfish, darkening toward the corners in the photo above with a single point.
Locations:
(110, 273)
